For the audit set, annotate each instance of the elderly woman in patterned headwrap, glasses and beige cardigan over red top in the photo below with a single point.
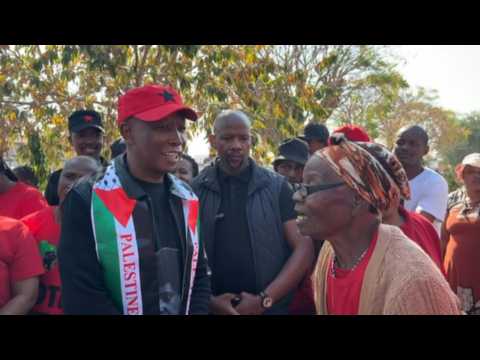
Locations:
(364, 267)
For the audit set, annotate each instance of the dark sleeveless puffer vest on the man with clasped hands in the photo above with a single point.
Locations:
(270, 248)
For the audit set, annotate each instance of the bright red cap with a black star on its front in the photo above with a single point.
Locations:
(152, 103)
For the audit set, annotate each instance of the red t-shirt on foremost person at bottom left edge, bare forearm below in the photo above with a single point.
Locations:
(19, 256)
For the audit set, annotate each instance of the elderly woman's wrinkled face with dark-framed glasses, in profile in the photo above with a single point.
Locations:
(324, 204)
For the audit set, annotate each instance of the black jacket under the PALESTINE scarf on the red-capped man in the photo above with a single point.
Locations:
(83, 287)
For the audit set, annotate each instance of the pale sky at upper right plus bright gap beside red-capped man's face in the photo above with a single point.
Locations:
(452, 70)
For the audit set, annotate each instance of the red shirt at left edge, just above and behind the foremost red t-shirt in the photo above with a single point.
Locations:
(20, 201)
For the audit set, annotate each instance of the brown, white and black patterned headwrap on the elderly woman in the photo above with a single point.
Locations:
(364, 173)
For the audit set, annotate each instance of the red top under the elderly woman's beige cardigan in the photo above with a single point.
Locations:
(343, 290)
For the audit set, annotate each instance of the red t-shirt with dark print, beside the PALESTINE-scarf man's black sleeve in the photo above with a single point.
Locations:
(46, 231)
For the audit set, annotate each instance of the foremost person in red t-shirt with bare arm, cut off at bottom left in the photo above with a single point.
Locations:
(20, 266)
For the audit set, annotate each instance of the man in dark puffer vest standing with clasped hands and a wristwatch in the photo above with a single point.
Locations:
(255, 252)
